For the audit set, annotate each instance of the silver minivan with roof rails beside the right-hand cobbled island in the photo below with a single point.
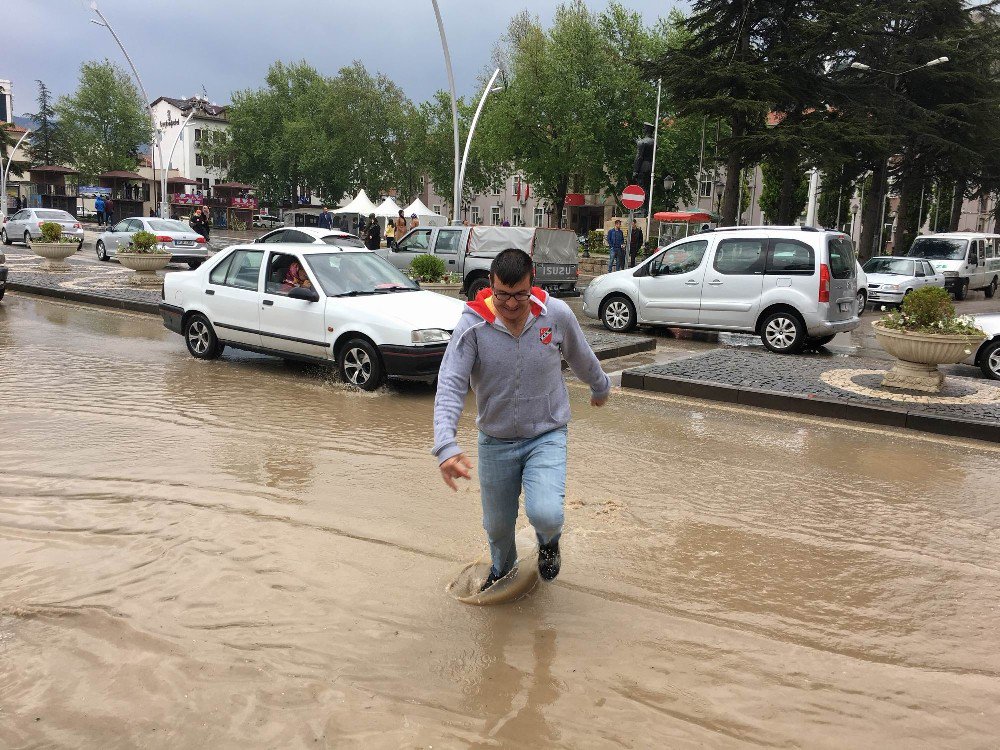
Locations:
(792, 286)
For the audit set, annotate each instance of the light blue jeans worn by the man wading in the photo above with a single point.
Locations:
(505, 466)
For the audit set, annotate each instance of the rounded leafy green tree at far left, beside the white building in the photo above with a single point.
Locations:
(103, 123)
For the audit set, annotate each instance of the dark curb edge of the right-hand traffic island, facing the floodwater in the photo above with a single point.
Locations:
(815, 406)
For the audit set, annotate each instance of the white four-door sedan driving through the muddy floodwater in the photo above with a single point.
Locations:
(317, 303)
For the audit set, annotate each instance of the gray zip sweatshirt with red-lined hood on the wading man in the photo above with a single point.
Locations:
(520, 391)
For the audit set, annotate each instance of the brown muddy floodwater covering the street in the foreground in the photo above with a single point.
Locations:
(245, 554)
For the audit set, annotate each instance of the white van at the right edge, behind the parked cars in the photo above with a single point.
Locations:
(968, 260)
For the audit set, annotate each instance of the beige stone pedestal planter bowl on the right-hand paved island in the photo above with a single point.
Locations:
(919, 355)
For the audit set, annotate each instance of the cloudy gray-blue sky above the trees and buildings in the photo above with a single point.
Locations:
(178, 46)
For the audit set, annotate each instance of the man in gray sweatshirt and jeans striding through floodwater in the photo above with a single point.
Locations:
(509, 345)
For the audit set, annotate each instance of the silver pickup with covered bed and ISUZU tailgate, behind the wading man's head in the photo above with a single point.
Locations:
(468, 251)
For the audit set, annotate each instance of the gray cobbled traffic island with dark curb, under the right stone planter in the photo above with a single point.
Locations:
(827, 386)
